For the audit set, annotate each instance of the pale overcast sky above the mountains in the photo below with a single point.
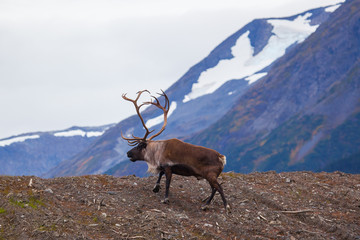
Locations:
(67, 62)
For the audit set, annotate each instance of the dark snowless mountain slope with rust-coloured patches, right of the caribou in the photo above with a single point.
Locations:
(305, 113)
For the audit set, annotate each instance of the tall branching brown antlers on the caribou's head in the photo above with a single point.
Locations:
(135, 140)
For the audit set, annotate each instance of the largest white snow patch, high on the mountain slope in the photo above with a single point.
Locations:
(244, 64)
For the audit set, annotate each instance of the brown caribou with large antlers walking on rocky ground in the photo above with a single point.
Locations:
(174, 156)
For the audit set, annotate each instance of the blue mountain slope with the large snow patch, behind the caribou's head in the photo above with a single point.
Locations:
(199, 98)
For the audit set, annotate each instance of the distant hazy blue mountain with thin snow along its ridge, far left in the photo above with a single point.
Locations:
(36, 153)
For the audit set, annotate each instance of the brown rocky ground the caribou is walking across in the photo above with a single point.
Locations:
(296, 205)
